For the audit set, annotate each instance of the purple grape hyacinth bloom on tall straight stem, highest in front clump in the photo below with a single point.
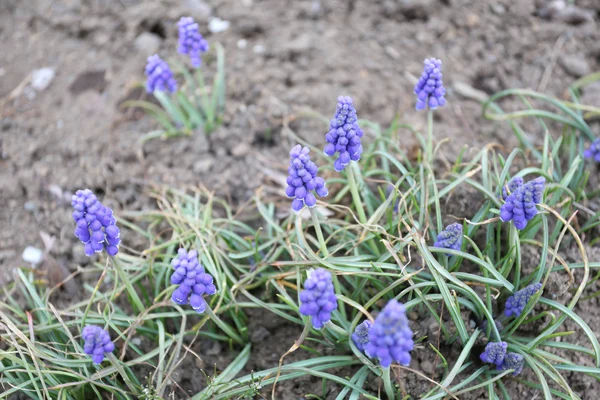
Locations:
(430, 89)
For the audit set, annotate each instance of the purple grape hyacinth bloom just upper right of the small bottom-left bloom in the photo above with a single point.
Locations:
(192, 280)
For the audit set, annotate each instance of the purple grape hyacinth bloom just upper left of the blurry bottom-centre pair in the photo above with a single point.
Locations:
(318, 299)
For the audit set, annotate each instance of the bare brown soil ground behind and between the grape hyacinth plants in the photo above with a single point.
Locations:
(297, 54)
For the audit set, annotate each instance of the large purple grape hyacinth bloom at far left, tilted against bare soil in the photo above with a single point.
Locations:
(96, 227)
